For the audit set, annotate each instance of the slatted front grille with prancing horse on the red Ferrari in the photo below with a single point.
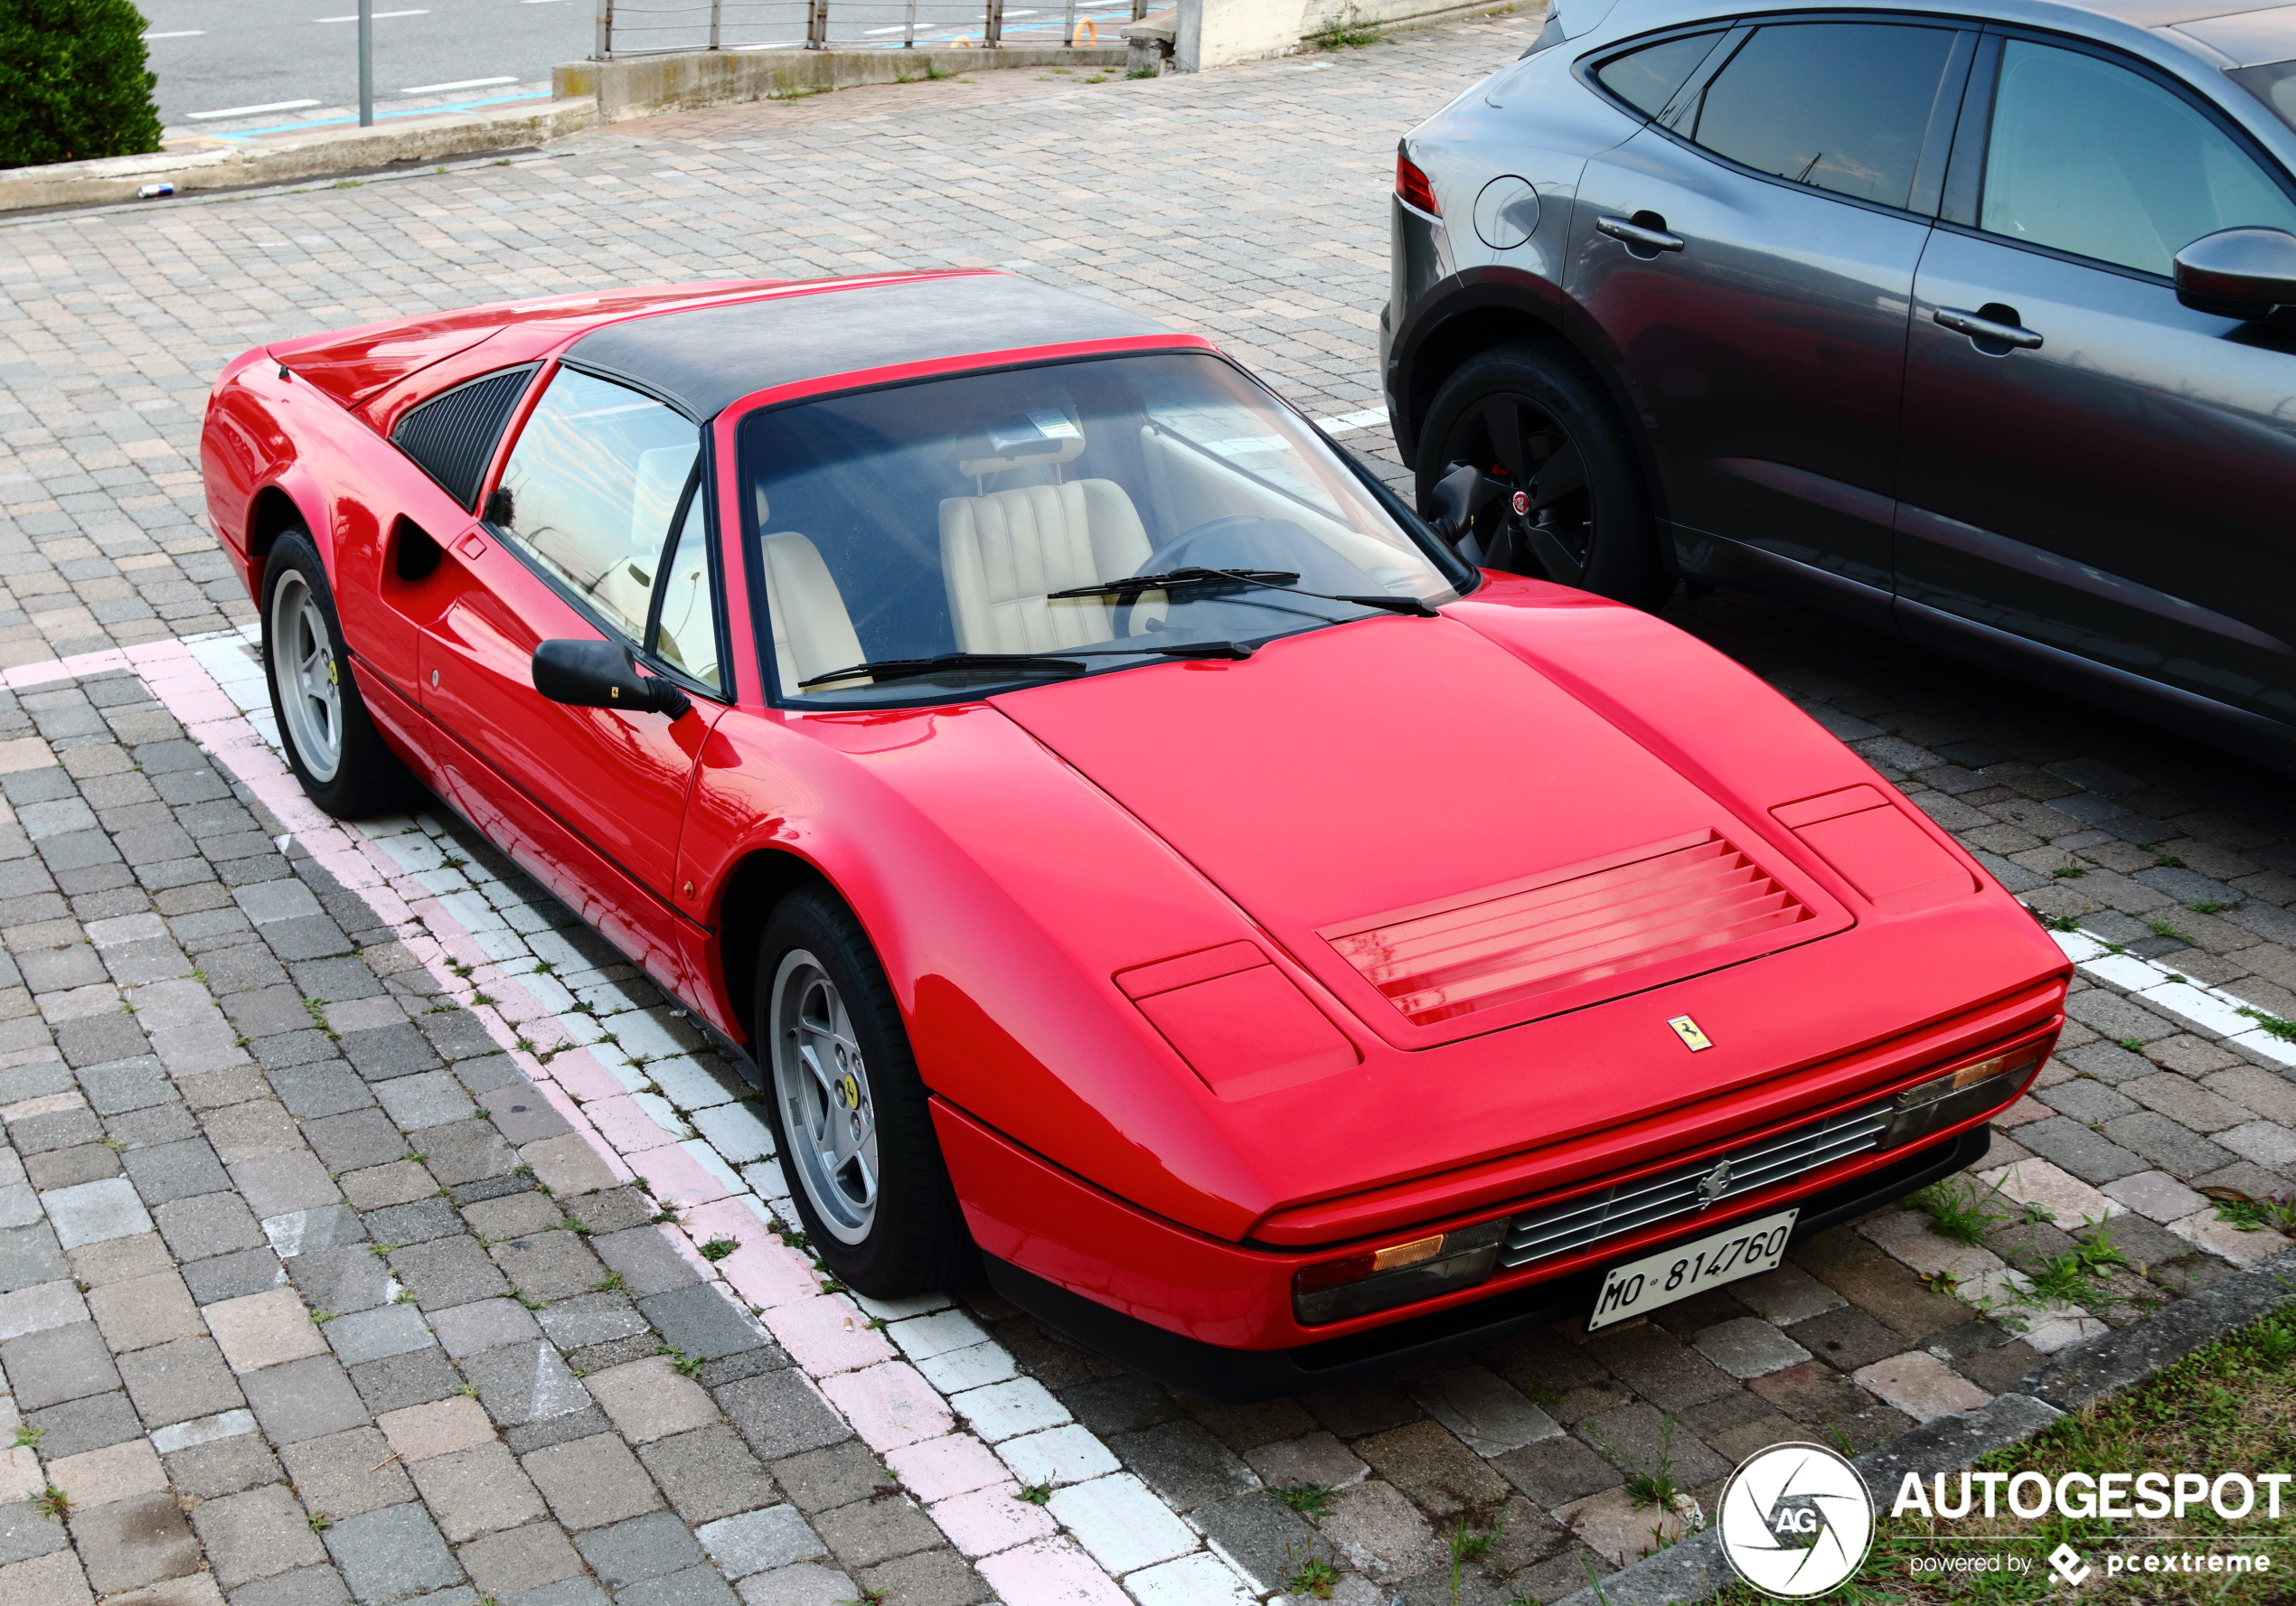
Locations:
(1689, 1190)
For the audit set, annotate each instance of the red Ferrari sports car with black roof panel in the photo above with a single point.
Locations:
(1128, 843)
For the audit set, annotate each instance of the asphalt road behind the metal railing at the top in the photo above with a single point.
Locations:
(302, 56)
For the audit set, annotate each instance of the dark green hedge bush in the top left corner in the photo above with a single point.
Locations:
(72, 81)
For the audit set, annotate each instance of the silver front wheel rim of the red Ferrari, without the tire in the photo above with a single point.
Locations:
(828, 1105)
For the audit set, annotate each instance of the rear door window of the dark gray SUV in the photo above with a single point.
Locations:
(1840, 107)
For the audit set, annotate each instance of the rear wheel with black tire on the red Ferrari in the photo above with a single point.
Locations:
(357, 774)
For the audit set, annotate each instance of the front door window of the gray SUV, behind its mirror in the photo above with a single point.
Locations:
(2095, 159)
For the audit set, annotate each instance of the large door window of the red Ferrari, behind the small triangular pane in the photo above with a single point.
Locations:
(594, 485)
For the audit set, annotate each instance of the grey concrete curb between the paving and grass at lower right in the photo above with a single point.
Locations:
(2072, 1380)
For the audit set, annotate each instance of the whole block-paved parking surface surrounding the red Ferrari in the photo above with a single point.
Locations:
(364, 1222)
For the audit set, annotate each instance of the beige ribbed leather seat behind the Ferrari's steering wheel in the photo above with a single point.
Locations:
(1007, 549)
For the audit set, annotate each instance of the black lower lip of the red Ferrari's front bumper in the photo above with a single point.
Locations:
(1241, 1375)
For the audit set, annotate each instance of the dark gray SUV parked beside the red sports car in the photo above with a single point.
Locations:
(1969, 325)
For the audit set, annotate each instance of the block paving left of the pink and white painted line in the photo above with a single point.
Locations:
(304, 1297)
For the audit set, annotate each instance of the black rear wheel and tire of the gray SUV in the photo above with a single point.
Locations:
(1537, 421)
